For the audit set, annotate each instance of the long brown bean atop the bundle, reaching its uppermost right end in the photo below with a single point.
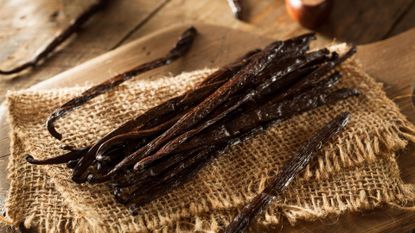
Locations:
(261, 62)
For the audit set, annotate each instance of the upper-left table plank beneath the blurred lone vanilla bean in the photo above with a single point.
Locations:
(98, 36)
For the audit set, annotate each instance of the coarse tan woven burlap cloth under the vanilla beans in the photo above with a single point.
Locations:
(357, 171)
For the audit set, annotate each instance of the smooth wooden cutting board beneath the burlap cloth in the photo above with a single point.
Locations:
(391, 61)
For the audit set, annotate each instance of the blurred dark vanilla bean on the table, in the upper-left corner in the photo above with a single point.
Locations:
(58, 40)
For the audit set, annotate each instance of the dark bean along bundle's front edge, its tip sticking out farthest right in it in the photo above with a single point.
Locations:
(238, 127)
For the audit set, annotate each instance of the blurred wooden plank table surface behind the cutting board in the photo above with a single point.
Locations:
(26, 25)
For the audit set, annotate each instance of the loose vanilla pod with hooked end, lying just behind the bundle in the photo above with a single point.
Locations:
(180, 49)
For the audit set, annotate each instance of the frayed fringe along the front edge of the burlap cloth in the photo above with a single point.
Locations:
(402, 198)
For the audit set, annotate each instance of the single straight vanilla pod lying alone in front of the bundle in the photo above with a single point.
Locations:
(290, 170)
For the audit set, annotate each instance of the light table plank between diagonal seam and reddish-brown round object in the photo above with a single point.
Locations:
(265, 17)
